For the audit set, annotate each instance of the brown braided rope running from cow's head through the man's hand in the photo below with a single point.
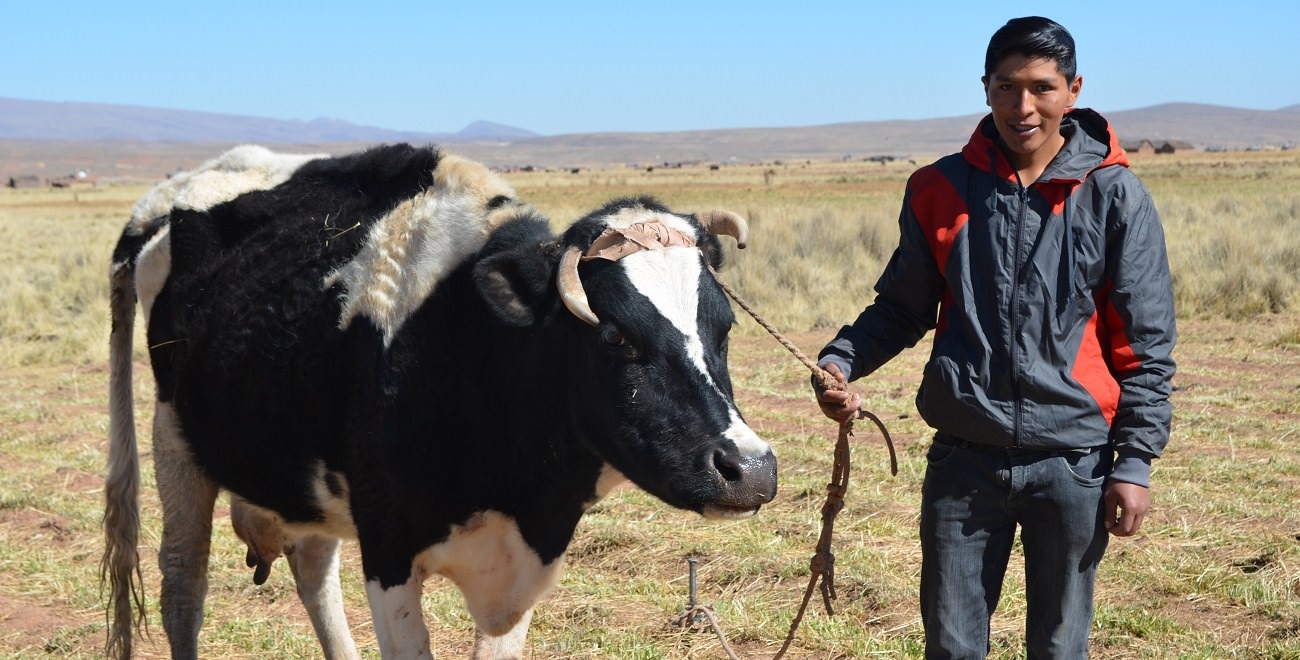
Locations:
(822, 566)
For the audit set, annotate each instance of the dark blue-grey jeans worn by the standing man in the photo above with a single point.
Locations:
(973, 500)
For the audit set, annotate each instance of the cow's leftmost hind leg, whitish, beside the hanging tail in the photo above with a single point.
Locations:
(188, 498)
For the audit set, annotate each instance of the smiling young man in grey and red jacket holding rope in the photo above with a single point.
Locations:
(1039, 262)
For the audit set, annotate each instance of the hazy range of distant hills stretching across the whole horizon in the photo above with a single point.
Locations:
(51, 140)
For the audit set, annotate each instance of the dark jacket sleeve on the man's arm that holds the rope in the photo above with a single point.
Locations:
(905, 307)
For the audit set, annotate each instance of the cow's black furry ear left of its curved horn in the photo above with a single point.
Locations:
(518, 285)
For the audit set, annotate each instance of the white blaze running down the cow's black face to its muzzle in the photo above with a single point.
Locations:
(670, 279)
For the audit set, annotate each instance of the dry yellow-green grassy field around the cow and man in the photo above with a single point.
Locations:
(1216, 572)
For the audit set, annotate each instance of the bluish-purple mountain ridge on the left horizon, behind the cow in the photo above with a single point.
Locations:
(25, 120)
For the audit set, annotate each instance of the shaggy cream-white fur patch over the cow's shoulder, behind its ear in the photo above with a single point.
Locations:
(409, 251)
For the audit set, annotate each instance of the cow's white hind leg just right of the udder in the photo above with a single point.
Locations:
(314, 561)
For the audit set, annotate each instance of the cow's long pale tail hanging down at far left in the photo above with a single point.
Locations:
(120, 567)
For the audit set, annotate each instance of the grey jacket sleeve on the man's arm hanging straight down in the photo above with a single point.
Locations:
(1139, 319)
